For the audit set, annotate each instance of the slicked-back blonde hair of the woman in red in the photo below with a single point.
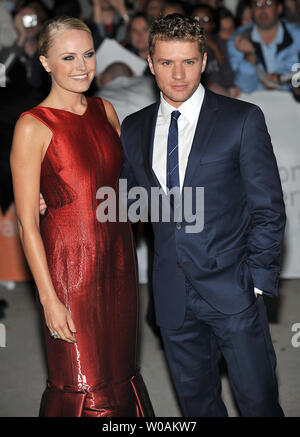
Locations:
(55, 25)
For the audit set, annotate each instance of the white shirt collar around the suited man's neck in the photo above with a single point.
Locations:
(189, 109)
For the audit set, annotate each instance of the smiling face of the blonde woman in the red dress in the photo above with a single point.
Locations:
(71, 60)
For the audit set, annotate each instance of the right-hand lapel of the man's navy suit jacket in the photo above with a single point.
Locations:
(204, 130)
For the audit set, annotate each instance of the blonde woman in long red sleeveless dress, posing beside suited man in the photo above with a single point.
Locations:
(85, 271)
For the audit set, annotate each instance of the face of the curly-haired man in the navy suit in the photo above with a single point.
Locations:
(177, 66)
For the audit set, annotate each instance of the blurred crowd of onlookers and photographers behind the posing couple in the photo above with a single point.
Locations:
(250, 46)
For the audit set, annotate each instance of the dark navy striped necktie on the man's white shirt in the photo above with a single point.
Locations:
(172, 153)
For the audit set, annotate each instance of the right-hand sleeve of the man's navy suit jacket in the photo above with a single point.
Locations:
(265, 202)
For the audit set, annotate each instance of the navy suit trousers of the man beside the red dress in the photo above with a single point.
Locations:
(244, 340)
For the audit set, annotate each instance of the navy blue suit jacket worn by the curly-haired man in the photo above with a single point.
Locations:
(244, 214)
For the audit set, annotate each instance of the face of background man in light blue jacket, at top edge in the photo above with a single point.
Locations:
(265, 13)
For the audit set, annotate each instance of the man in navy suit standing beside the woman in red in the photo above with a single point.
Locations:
(207, 285)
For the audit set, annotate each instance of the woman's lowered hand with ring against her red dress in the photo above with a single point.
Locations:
(59, 320)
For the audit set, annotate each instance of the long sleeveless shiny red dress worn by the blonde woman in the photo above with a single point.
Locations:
(93, 270)
